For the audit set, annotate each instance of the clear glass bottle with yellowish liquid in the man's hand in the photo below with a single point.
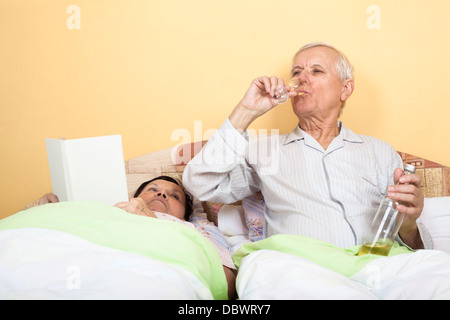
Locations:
(385, 225)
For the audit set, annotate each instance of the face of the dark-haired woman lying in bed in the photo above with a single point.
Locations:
(166, 197)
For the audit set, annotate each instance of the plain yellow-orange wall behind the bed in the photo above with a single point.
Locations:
(144, 69)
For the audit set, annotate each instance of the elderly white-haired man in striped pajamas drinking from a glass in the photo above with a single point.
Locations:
(325, 181)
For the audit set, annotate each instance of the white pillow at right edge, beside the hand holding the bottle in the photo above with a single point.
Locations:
(436, 217)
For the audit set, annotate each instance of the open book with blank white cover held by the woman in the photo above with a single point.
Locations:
(89, 169)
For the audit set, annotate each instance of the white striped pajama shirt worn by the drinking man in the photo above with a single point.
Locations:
(331, 195)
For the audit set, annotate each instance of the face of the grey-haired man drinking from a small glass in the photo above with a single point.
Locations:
(315, 71)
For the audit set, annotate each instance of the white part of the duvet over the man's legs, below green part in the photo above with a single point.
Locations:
(267, 274)
